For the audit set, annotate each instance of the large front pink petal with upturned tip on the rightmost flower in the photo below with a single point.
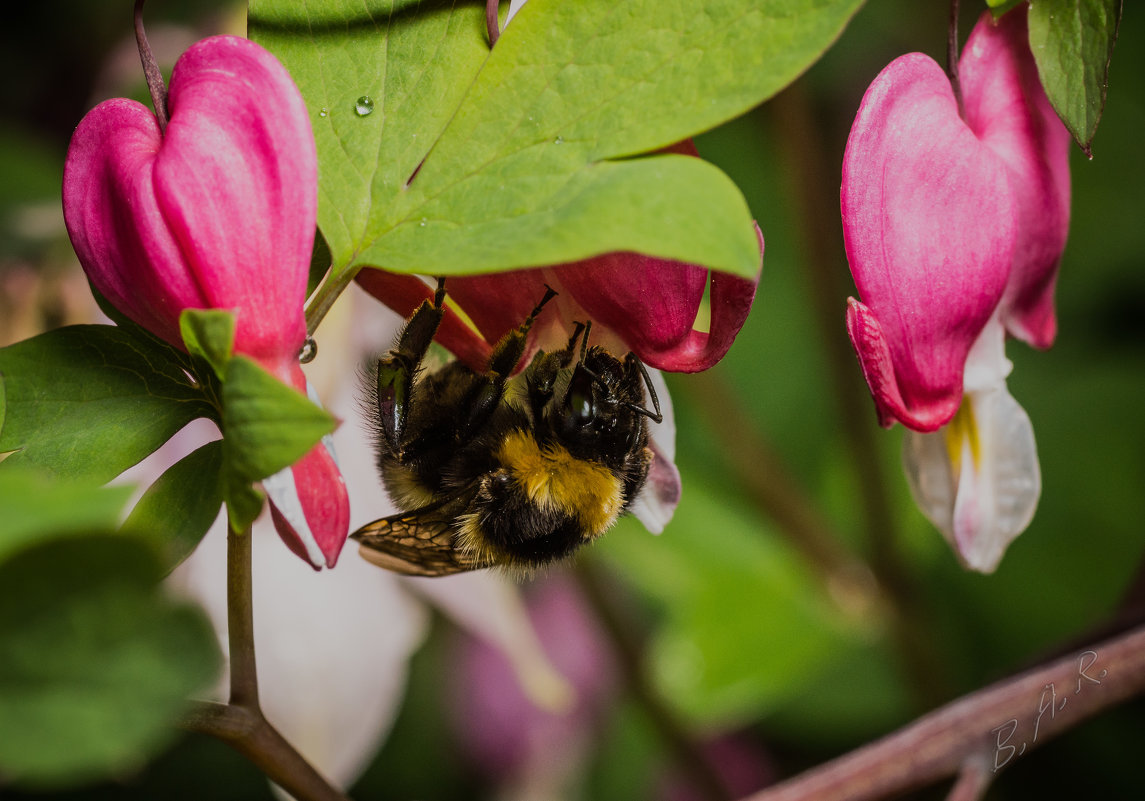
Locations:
(929, 225)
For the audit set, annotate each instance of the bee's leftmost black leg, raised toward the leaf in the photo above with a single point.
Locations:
(398, 369)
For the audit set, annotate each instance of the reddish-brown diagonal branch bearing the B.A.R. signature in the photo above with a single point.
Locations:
(994, 727)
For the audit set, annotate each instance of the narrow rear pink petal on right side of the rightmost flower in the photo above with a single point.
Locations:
(1007, 107)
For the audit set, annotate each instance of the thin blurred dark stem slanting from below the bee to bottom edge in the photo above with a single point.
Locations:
(691, 760)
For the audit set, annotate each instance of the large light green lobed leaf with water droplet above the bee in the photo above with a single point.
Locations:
(475, 161)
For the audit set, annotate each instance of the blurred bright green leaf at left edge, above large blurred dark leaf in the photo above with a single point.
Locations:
(34, 507)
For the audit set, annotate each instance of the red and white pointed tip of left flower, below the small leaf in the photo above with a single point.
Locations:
(311, 506)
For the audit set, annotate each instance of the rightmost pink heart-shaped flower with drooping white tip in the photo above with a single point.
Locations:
(954, 221)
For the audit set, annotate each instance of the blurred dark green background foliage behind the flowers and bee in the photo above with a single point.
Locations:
(799, 600)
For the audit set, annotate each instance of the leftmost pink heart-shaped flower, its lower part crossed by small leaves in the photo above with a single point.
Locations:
(215, 212)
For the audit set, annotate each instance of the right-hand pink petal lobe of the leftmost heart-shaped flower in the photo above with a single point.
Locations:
(238, 184)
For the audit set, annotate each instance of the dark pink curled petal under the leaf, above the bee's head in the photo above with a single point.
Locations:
(652, 305)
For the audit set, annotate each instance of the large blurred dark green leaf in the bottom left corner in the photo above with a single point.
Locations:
(96, 664)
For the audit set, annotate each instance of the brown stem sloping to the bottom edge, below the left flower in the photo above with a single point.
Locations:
(249, 733)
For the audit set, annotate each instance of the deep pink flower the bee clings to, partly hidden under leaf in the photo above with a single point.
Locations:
(636, 304)
